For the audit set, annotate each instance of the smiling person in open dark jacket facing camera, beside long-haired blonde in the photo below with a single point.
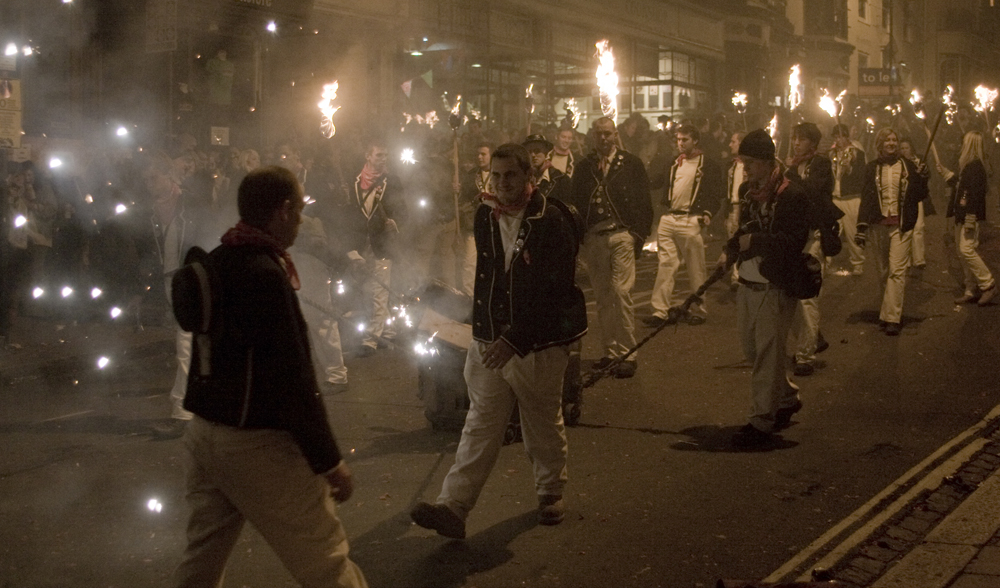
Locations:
(893, 188)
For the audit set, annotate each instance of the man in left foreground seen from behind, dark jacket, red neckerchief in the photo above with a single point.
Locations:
(259, 447)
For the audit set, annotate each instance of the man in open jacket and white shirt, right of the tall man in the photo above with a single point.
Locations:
(694, 191)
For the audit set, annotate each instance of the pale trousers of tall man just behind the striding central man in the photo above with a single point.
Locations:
(610, 261)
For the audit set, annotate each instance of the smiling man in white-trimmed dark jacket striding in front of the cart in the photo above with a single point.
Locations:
(527, 311)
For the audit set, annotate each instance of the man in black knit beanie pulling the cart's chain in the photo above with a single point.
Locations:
(774, 226)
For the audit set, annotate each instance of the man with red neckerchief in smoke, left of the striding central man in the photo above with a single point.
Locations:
(370, 227)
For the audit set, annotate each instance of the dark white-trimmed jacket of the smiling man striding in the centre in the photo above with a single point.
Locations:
(536, 303)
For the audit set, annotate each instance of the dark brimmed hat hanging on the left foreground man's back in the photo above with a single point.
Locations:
(195, 291)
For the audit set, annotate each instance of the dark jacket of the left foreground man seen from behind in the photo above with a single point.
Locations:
(260, 372)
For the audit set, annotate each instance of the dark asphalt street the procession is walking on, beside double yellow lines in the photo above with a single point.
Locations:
(657, 496)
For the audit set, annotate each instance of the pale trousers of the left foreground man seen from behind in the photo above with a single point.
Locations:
(259, 475)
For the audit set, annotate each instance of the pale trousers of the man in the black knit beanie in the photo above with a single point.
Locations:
(763, 319)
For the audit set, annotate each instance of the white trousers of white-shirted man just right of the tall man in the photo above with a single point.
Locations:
(677, 237)
